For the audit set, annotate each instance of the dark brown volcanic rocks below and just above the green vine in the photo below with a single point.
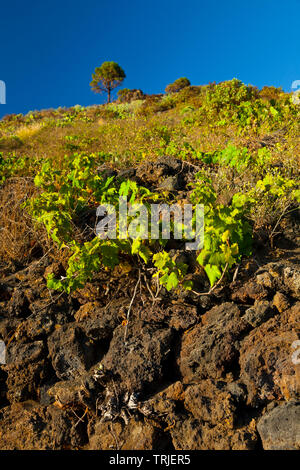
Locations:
(213, 371)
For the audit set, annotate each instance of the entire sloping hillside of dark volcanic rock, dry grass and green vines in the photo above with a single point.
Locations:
(143, 344)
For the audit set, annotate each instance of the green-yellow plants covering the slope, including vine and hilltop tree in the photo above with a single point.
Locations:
(241, 145)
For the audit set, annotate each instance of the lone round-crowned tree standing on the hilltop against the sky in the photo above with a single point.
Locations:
(106, 78)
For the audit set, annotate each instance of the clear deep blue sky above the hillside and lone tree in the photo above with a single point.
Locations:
(49, 49)
